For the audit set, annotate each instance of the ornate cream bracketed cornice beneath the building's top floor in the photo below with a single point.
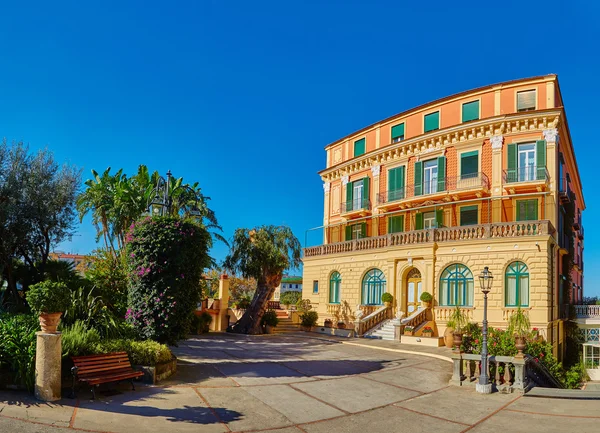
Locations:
(422, 145)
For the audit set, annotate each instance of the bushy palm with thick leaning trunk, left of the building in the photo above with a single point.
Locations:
(263, 253)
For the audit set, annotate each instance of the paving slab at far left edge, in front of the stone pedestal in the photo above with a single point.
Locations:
(25, 406)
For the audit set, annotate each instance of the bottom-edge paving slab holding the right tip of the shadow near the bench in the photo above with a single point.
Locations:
(253, 413)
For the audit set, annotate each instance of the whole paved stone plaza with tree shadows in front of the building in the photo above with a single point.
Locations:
(296, 383)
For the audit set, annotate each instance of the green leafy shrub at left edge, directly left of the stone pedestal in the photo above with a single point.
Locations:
(17, 347)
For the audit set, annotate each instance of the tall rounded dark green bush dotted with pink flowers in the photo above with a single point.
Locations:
(165, 259)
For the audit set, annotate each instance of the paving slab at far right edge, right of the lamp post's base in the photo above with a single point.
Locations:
(555, 406)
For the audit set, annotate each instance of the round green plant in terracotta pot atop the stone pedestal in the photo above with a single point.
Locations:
(49, 300)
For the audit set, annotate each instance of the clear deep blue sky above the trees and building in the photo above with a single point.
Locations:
(243, 96)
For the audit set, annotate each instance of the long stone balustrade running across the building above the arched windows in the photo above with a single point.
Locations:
(446, 234)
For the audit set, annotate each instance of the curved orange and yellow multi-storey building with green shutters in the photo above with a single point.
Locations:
(424, 200)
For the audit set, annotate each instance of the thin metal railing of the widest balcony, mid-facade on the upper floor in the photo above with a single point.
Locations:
(464, 182)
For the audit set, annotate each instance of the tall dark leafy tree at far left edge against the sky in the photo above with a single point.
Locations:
(37, 211)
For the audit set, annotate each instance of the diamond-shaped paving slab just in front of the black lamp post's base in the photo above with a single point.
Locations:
(458, 404)
